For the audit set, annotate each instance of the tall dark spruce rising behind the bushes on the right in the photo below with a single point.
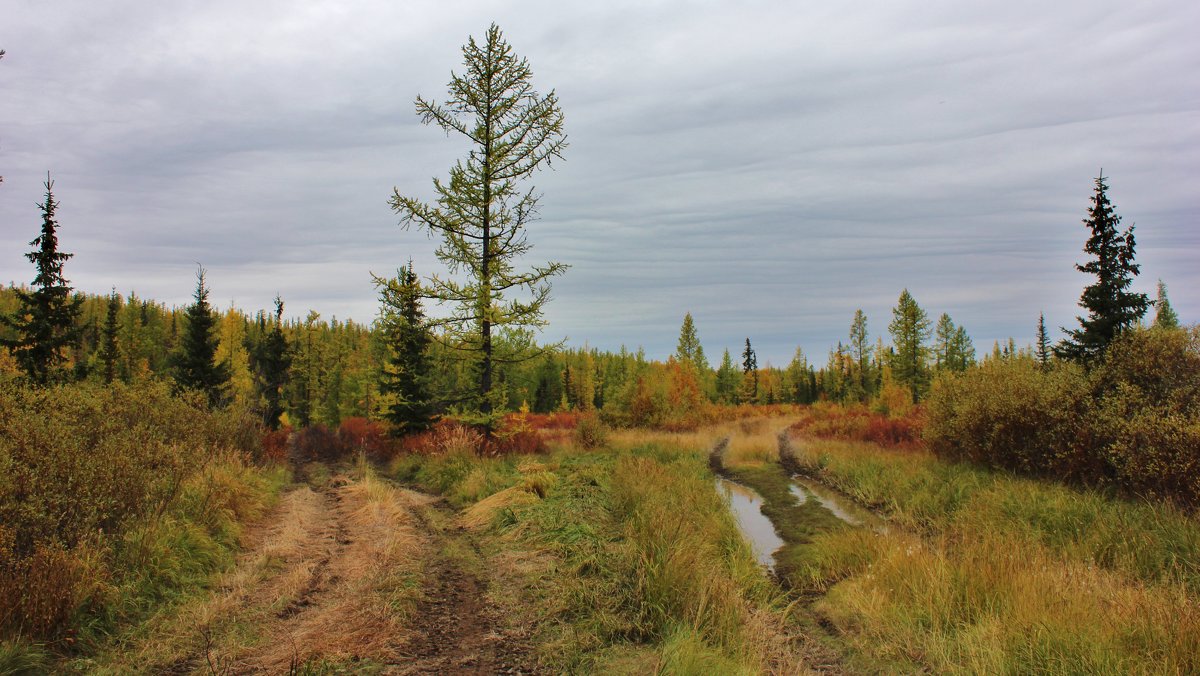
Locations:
(1111, 307)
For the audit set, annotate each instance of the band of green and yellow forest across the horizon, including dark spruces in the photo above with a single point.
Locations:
(410, 369)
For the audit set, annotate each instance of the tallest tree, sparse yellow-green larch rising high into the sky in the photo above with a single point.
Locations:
(482, 213)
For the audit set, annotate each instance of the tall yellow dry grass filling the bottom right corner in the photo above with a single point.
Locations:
(989, 605)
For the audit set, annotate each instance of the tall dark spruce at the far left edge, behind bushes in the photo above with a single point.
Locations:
(47, 315)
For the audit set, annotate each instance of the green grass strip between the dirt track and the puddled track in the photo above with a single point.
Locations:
(634, 563)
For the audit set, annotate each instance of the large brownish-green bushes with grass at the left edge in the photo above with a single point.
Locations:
(91, 480)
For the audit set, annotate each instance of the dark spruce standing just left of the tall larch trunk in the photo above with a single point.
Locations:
(406, 375)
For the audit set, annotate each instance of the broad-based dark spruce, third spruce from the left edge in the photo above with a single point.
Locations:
(194, 363)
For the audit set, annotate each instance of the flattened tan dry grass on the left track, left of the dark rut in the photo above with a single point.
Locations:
(328, 578)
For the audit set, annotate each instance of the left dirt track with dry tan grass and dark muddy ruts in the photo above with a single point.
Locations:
(345, 576)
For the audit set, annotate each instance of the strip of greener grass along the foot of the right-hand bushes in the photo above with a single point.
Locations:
(1150, 542)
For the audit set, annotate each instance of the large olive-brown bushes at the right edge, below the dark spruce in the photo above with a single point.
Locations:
(1132, 423)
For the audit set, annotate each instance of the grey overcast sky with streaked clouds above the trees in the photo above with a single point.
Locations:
(770, 167)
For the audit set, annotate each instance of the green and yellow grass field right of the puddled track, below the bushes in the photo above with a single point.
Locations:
(998, 575)
